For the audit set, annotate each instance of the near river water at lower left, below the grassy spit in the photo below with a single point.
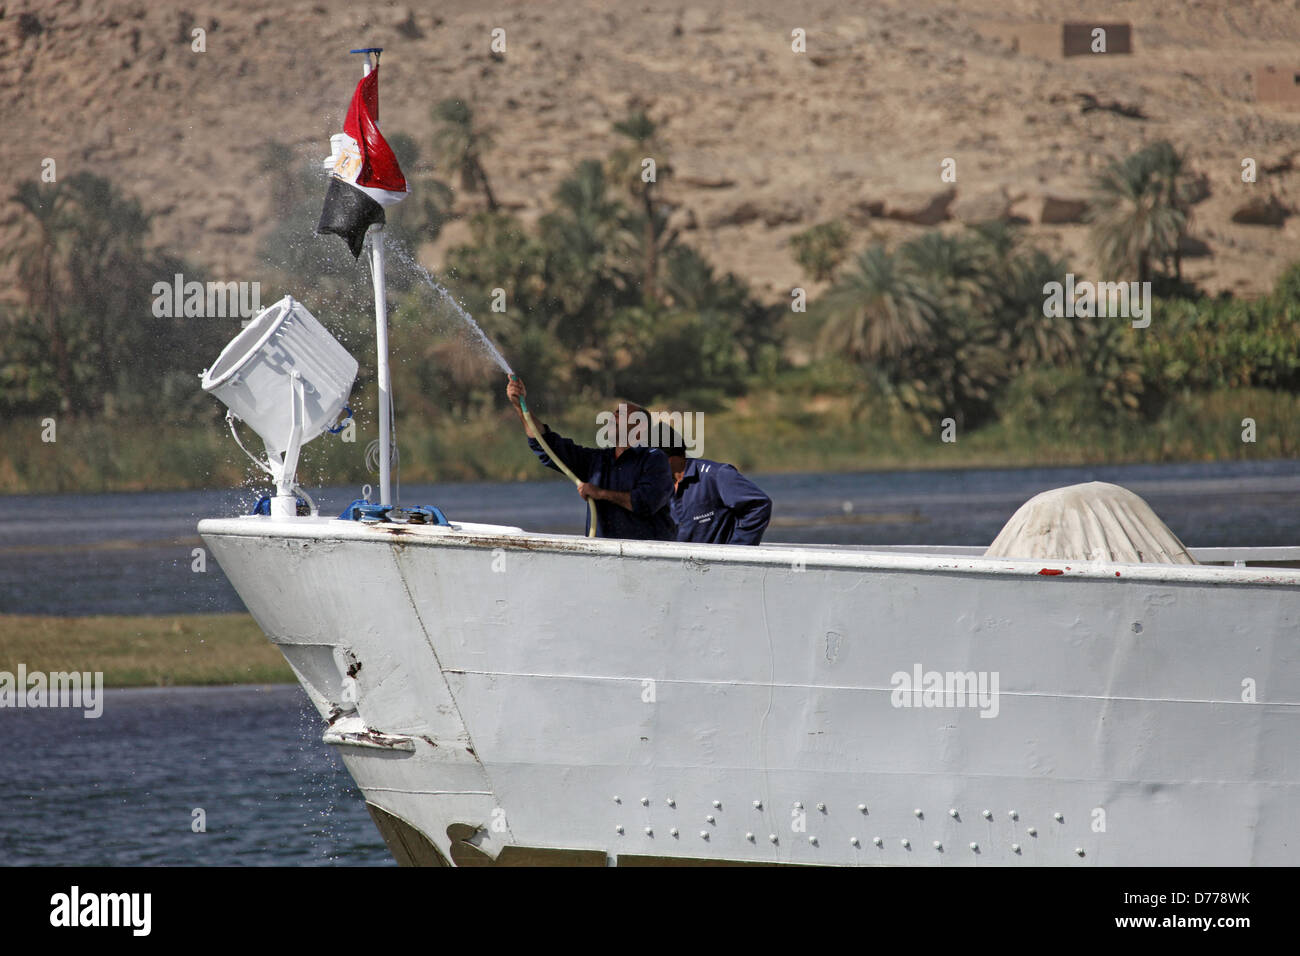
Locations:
(123, 790)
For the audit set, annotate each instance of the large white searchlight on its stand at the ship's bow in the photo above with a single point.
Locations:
(289, 379)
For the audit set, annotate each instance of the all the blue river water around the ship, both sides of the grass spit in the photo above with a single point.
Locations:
(123, 789)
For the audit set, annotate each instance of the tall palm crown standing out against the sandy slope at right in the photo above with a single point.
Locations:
(1141, 211)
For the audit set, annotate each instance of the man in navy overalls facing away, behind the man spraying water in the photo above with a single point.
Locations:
(712, 501)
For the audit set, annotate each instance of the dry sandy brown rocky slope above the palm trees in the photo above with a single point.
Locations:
(764, 142)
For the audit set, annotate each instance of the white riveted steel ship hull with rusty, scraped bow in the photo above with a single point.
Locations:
(655, 703)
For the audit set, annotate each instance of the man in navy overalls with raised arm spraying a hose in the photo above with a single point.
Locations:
(631, 486)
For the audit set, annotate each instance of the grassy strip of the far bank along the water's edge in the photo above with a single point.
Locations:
(774, 435)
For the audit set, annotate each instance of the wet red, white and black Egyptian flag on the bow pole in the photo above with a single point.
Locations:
(365, 175)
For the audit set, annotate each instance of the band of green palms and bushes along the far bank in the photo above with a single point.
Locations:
(603, 300)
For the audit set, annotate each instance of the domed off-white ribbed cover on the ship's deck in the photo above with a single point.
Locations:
(1090, 522)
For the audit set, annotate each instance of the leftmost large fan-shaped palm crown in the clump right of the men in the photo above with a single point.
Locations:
(878, 310)
